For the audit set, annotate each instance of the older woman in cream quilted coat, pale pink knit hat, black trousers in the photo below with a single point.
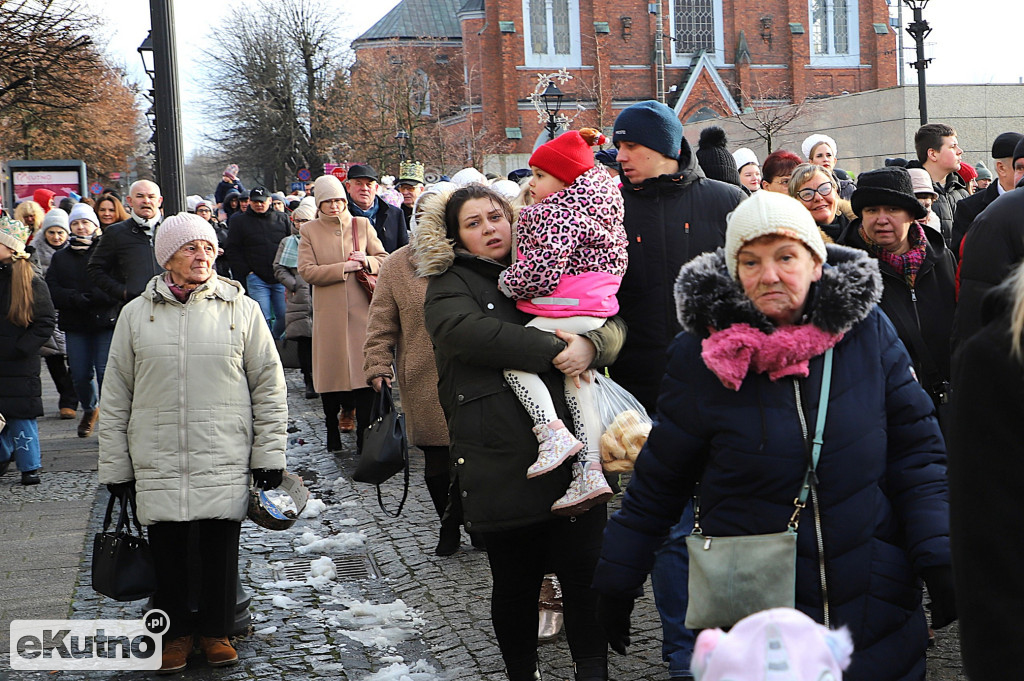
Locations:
(194, 406)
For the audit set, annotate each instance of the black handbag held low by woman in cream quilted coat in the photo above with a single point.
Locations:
(122, 563)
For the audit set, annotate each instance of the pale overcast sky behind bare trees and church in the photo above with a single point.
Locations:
(968, 45)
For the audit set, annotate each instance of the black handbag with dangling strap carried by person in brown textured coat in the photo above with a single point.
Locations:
(386, 449)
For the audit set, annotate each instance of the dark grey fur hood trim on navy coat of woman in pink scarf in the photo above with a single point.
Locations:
(707, 297)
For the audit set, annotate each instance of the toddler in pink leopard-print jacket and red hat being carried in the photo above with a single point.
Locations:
(570, 263)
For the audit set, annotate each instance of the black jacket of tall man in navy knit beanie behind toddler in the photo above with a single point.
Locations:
(669, 221)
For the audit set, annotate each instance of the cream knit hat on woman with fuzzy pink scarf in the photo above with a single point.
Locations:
(771, 214)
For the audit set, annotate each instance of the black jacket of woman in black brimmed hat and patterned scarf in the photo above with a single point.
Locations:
(929, 309)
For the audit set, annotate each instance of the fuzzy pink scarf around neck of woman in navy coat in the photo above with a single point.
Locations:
(733, 353)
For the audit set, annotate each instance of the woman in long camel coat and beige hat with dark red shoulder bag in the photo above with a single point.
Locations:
(328, 261)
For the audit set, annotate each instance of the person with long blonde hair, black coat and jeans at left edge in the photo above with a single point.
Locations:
(26, 324)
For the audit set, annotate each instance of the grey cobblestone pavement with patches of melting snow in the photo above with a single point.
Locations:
(392, 611)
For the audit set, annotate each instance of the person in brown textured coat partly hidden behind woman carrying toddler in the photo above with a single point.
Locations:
(399, 347)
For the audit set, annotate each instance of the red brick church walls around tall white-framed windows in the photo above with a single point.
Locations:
(614, 57)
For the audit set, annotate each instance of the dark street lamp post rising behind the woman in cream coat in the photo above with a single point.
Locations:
(160, 60)
